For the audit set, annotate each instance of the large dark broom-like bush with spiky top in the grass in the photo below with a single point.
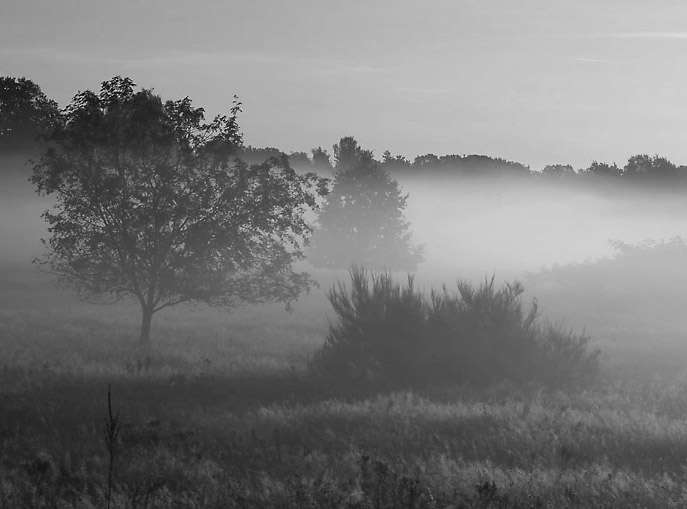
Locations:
(390, 335)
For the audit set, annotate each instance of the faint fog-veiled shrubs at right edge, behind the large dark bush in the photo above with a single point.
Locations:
(639, 289)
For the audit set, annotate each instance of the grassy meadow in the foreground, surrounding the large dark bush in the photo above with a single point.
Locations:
(219, 412)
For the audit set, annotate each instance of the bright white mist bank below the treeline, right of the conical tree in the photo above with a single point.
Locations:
(513, 227)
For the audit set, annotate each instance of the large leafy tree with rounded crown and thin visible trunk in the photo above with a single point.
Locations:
(152, 204)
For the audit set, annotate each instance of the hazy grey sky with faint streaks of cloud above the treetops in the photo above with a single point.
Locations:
(537, 81)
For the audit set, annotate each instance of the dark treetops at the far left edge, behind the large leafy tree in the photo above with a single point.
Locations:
(25, 114)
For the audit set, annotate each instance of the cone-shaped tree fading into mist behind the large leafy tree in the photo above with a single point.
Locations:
(362, 219)
